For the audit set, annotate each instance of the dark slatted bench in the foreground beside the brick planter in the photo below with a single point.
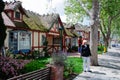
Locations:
(42, 74)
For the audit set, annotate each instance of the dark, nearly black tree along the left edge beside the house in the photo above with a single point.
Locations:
(2, 26)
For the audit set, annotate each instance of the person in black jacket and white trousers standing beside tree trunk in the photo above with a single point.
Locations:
(86, 53)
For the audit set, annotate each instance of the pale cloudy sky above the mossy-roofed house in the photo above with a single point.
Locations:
(44, 6)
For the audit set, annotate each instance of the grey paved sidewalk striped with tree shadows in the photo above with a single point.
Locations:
(109, 68)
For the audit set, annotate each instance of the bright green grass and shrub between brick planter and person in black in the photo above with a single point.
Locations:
(73, 66)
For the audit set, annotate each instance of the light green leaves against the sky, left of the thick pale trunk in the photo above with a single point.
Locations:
(74, 10)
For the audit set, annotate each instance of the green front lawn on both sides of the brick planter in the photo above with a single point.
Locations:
(73, 65)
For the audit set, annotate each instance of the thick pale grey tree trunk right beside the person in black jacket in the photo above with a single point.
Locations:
(94, 32)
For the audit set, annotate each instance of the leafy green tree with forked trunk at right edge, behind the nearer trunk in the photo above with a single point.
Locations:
(109, 17)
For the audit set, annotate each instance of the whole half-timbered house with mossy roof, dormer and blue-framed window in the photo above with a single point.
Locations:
(27, 30)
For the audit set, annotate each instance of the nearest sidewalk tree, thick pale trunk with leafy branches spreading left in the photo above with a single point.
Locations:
(90, 9)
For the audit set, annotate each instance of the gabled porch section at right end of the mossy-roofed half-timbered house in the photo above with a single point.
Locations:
(55, 35)
